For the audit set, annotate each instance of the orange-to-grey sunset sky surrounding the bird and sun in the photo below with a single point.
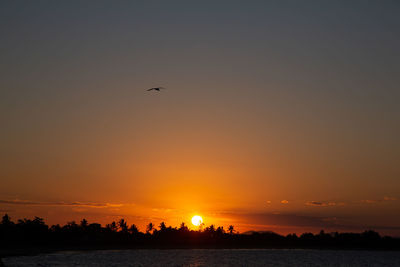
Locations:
(277, 115)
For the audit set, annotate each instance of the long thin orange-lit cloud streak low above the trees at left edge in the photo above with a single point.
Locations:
(70, 204)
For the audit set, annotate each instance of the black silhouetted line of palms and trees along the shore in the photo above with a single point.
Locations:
(35, 233)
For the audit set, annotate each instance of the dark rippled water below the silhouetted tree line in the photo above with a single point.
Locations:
(210, 257)
